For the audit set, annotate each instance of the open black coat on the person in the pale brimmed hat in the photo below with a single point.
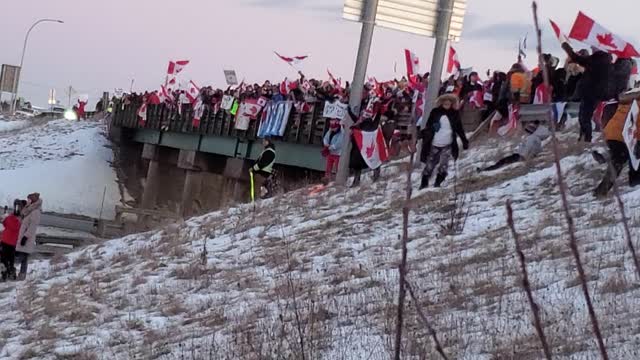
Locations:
(433, 124)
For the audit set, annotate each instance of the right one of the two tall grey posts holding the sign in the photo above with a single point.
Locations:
(445, 10)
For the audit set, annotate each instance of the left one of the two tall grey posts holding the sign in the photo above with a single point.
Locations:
(355, 98)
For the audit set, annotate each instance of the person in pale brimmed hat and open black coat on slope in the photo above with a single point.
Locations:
(440, 139)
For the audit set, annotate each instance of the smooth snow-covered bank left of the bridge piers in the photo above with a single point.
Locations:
(68, 163)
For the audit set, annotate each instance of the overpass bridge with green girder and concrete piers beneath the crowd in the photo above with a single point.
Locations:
(190, 170)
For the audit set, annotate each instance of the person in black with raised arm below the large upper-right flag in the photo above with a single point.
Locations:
(593, 86)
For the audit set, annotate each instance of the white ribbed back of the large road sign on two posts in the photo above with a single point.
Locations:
(418, 17)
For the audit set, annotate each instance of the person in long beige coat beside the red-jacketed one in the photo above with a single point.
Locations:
(26, 246)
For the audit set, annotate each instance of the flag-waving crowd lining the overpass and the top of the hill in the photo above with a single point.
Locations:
(589, 77)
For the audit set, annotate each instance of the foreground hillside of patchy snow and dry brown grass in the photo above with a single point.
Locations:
(319, 275)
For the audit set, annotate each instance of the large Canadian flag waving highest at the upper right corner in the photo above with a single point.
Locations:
(588, 31)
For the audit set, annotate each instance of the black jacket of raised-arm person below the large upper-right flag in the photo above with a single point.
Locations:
(595, 81)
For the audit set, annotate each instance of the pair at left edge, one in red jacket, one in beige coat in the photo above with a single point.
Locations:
(19, 236)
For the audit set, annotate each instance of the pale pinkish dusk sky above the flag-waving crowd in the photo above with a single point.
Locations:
(105, 44)
